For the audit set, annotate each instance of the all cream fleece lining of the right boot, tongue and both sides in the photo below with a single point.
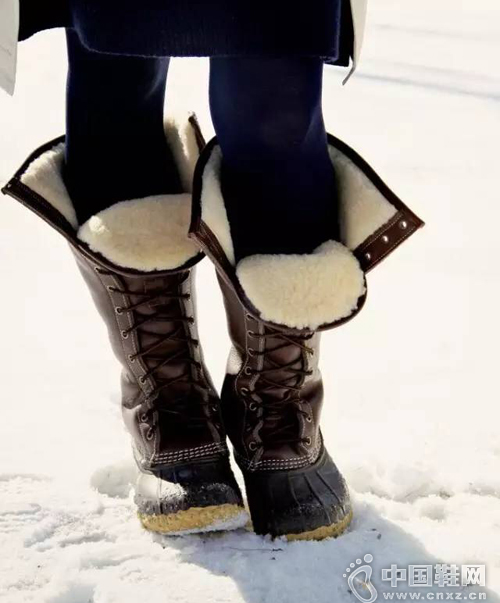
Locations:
(305, 291)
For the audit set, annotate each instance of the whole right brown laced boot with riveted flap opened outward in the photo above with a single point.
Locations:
(276, 306)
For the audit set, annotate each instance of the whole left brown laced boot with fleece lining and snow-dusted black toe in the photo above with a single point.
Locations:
(138, 263)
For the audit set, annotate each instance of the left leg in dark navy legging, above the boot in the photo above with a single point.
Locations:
(115, 145)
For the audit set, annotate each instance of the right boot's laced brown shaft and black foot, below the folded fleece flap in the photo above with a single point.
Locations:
(272, 398)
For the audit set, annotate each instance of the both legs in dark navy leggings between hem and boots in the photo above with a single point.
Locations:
(277, 179)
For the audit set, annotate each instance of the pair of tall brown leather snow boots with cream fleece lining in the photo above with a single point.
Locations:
(138, 259)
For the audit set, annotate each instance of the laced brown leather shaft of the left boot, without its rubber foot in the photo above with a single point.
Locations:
(168, 399)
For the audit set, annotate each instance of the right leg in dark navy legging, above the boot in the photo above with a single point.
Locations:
(277, 178)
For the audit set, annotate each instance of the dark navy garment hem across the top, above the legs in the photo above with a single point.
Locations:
(321, 28)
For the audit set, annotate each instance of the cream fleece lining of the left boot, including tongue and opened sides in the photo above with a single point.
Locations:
(143, 234)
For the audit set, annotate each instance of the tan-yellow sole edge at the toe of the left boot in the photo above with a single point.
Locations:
(196, 519)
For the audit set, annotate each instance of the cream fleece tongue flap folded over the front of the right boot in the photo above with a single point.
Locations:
(304, 291)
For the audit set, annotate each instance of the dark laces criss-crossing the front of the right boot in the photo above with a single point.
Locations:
(278, 414)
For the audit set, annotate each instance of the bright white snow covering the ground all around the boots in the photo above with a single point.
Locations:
(413, 412)
